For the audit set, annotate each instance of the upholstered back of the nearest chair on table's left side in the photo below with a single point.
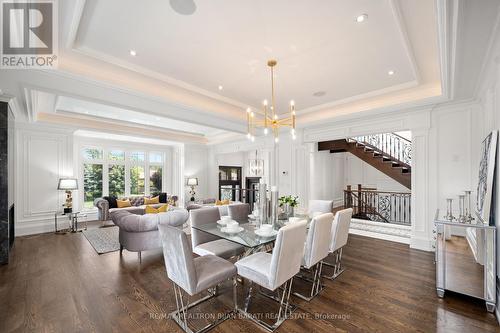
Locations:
(178, 258)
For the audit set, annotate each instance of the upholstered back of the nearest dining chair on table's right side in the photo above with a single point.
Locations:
(287, 253)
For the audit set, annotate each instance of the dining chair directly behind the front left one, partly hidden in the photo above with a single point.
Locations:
(204, 243)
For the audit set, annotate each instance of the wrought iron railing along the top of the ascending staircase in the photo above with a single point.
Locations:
(390, 144)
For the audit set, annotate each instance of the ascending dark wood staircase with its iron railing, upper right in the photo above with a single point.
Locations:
(387, 152)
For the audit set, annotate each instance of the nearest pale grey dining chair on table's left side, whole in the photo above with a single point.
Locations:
(194, 276)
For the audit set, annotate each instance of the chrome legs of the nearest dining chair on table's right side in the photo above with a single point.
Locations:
(284, 312)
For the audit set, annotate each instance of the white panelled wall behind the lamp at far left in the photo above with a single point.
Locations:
(43, 155)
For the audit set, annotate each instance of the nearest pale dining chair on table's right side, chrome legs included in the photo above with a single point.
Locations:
(276, 270)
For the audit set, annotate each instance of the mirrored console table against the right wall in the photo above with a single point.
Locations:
(466, 259)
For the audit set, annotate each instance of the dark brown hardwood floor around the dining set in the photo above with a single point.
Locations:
(58, 283)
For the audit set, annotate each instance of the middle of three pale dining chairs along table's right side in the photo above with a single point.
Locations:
(317, 247)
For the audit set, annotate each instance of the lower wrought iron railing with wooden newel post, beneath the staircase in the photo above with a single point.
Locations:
(380, 206)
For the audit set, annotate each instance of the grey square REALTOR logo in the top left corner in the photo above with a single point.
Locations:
(29, 34)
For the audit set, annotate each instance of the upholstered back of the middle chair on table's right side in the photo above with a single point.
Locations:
(319, 238)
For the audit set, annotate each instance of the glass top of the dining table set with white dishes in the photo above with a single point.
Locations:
(247, 237)
